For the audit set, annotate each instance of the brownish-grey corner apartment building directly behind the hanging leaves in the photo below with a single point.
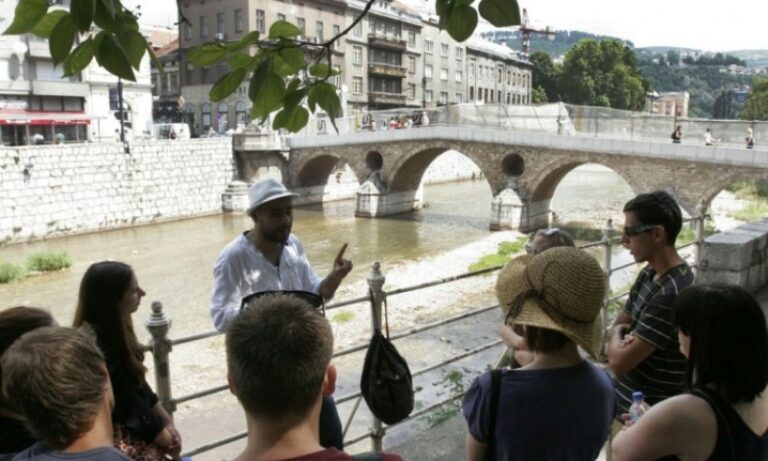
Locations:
(208, 21)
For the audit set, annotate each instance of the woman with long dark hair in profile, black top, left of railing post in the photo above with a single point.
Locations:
(109, 294)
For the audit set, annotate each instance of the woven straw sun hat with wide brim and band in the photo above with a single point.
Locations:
(559, 289)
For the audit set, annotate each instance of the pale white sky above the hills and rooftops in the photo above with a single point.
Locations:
(709, 26)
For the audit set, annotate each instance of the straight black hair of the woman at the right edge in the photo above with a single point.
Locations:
(728, 340)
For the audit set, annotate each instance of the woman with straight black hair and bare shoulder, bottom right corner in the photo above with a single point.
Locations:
(724, 414)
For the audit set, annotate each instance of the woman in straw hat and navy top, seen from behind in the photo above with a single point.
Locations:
(560, 406)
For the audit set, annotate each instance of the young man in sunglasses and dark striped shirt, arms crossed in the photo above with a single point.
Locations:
(643, 349)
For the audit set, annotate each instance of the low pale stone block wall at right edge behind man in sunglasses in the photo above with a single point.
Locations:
(738, 256)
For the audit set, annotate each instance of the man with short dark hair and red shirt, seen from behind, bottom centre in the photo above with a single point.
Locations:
(279, 367)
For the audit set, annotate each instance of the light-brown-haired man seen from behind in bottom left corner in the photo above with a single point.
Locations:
(57, 379)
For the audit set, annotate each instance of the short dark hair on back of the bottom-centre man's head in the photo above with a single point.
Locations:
(278, 350)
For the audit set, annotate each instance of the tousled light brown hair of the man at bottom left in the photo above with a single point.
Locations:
(56, 379)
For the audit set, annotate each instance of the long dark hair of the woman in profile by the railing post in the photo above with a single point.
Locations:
(101, 290)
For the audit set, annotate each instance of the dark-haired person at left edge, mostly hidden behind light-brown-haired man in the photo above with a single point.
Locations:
(15, 322)
